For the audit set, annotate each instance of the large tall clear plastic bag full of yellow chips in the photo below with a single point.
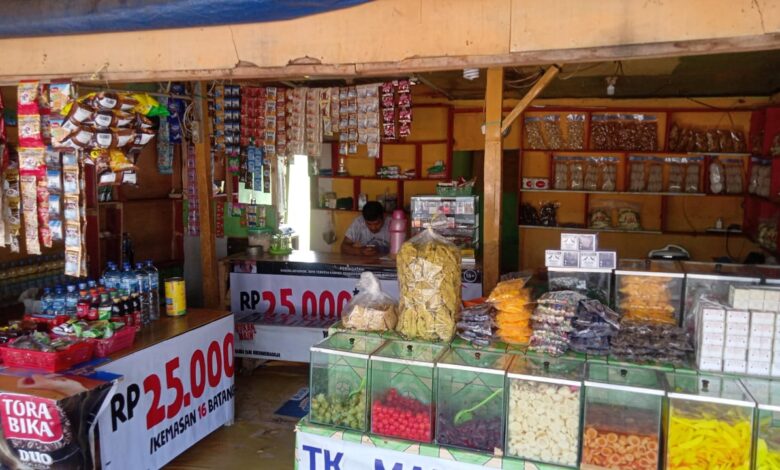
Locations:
(429, 278)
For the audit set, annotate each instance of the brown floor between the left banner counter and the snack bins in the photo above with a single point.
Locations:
(259, 438)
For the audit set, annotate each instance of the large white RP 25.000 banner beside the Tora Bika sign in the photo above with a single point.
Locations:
(173, 394)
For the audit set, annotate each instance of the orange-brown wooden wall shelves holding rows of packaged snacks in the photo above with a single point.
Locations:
(655, 208)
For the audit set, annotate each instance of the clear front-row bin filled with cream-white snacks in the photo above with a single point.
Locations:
(543, 409)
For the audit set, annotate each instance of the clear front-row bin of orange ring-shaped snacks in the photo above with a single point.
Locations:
(622, 418)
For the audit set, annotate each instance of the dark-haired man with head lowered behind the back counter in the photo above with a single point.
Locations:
(369, 234)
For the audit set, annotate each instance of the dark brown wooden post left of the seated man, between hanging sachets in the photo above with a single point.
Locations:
(208, 252)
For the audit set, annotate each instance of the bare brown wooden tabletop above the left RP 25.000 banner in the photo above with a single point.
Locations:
(169, 327)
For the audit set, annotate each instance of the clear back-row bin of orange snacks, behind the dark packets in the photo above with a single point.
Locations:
(649, 290)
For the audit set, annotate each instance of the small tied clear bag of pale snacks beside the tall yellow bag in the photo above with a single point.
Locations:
(371, 309)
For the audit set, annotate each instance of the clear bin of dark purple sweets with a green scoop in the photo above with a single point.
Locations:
(470, 399)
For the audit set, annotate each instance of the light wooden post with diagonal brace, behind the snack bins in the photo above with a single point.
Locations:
(492, 178)
